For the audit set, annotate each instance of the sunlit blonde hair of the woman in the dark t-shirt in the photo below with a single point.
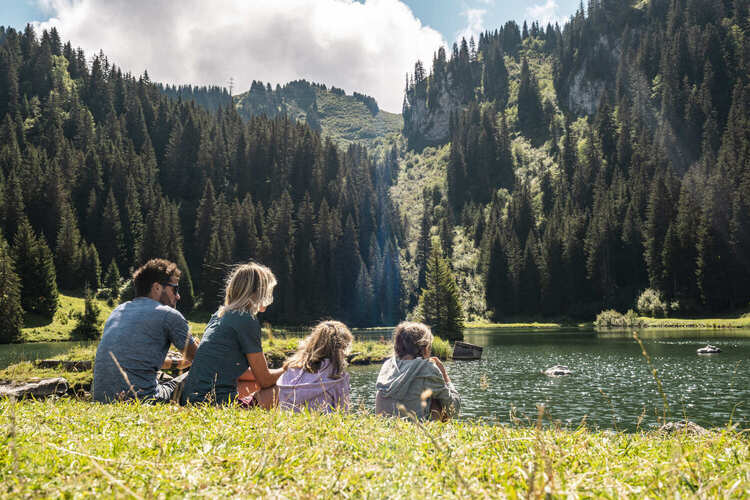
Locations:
(249, 287)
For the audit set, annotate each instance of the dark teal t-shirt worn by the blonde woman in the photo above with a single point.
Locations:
(221, 357)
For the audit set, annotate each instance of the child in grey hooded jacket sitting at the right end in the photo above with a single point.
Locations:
(412, 382)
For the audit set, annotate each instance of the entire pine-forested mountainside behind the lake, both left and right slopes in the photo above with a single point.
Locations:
(577, 166)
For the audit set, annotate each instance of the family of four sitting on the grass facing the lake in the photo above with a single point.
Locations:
(228, 365)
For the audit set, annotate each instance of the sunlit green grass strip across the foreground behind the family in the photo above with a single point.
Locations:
(69, 448)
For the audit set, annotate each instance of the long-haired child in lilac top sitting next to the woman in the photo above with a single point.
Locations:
(315, 376)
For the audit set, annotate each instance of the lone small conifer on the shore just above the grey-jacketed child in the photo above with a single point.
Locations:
(439, 303)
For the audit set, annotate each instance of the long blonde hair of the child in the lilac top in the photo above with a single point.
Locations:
(329, 339)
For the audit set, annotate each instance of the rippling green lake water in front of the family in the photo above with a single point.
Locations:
(611, 385)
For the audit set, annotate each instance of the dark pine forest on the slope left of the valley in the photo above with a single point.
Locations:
(101, 171)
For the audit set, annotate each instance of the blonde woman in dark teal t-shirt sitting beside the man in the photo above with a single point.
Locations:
(231, 344)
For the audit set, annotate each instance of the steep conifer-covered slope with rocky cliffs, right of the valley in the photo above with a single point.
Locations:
(591, 162)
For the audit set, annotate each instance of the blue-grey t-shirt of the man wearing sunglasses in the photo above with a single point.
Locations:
(138, 333)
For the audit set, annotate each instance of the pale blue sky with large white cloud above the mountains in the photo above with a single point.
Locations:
(358, 45)
